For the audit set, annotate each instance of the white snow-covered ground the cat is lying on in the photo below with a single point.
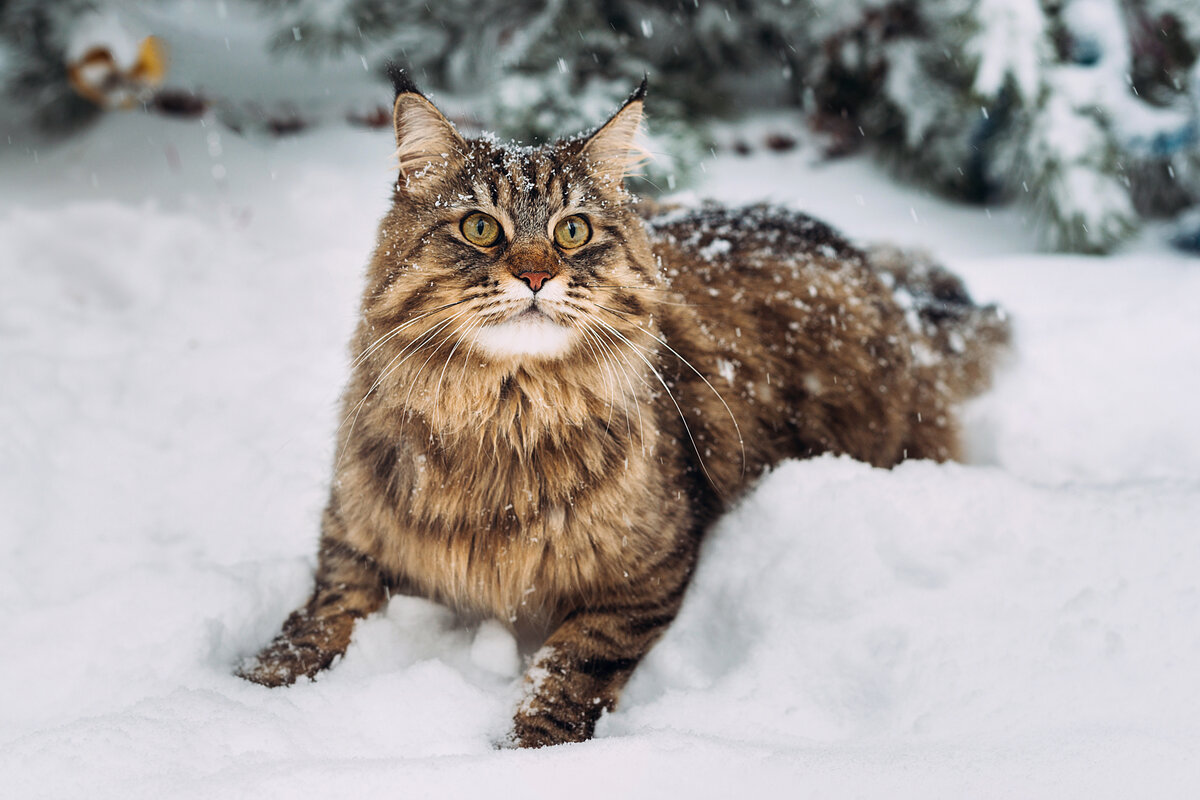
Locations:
(172, 348)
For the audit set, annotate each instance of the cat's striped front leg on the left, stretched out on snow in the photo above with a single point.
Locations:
(350, 586)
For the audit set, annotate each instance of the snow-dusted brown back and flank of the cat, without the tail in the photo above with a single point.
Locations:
(793, 330)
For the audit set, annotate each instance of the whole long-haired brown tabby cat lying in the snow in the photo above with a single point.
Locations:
(556, 392)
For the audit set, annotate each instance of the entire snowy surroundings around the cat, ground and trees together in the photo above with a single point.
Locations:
(190, 191)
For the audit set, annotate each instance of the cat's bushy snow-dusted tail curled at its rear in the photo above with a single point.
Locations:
(961, 344)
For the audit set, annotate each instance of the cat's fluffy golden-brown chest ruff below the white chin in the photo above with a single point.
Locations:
(518, 494)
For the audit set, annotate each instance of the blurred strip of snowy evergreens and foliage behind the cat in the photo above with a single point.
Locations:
(1084, 112)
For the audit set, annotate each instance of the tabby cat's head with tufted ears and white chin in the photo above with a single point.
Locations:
(515, 255)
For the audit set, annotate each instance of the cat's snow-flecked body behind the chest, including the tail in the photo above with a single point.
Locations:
(815, 345)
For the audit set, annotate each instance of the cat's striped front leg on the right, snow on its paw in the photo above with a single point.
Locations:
(583, 667)
